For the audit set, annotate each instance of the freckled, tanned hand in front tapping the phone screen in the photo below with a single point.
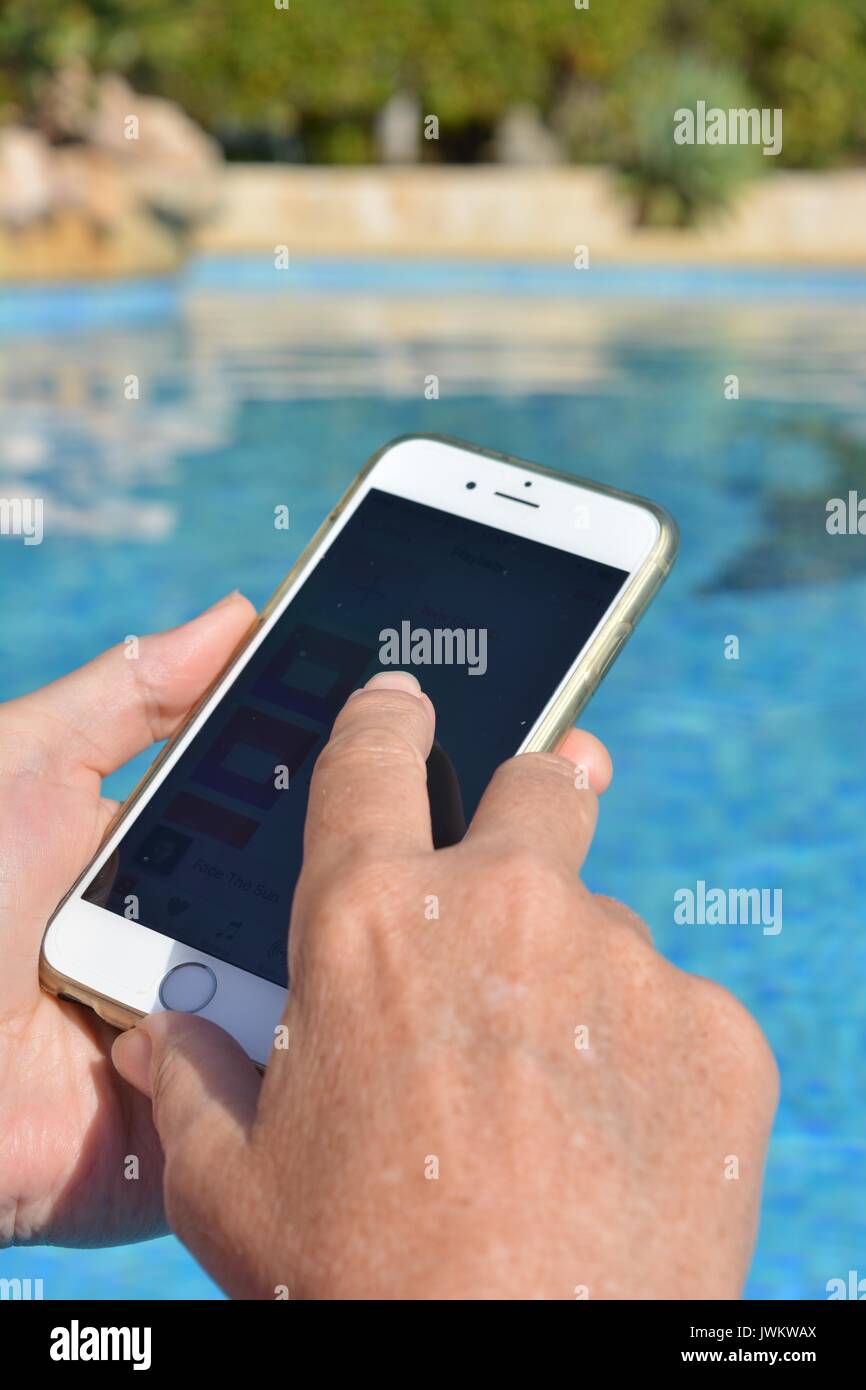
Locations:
(433, 1131)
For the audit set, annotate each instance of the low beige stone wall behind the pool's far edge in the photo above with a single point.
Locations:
(536, 213)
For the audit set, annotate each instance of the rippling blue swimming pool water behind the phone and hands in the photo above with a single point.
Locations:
(262, 387)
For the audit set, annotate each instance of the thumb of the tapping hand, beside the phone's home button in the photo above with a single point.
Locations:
(205, 1093)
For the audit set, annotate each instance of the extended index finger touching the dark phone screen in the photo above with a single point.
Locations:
(369, 789)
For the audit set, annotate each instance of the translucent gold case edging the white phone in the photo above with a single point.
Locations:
(598, 660)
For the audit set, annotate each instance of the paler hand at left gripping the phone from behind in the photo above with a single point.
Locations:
(66, 1118)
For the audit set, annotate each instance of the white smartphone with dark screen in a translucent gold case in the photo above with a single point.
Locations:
(505, 587)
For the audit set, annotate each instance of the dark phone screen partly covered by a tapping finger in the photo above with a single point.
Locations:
(489, 622)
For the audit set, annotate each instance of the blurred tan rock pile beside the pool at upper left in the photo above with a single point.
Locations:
(92, 193)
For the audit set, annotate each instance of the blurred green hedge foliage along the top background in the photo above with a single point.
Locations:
(320, 72)
